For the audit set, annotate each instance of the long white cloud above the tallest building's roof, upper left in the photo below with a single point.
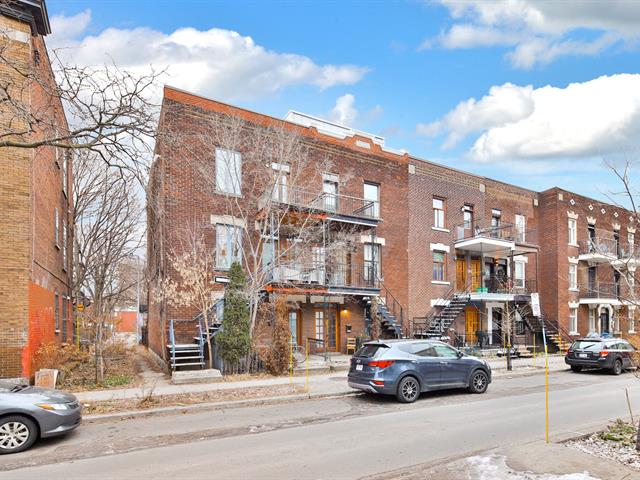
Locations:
(216, 62)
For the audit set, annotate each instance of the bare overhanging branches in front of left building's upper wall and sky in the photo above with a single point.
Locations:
(110, 111)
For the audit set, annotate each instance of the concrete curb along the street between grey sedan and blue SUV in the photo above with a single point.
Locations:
(106, 417)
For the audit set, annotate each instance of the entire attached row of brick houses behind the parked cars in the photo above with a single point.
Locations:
(446, 253)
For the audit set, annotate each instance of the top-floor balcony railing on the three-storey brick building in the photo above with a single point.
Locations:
(332, 203)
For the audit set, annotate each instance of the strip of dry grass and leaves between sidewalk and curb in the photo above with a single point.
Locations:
(148, 400)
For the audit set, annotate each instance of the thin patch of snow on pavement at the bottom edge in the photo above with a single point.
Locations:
(494, 467)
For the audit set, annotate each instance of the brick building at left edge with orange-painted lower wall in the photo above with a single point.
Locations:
(35, 200)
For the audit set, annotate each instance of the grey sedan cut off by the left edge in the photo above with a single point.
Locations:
(28, 413)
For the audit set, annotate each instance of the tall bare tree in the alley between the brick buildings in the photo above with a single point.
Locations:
(107, 234)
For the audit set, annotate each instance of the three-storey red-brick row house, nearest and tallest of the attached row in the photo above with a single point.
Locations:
(334, 234)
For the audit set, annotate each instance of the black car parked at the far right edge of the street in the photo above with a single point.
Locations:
(614, 354)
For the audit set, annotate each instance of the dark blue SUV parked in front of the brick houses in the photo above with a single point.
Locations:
(406, 368)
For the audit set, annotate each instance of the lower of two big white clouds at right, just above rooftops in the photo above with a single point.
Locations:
(596, 118)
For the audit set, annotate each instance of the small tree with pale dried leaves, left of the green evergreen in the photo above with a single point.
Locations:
(192, 283)
